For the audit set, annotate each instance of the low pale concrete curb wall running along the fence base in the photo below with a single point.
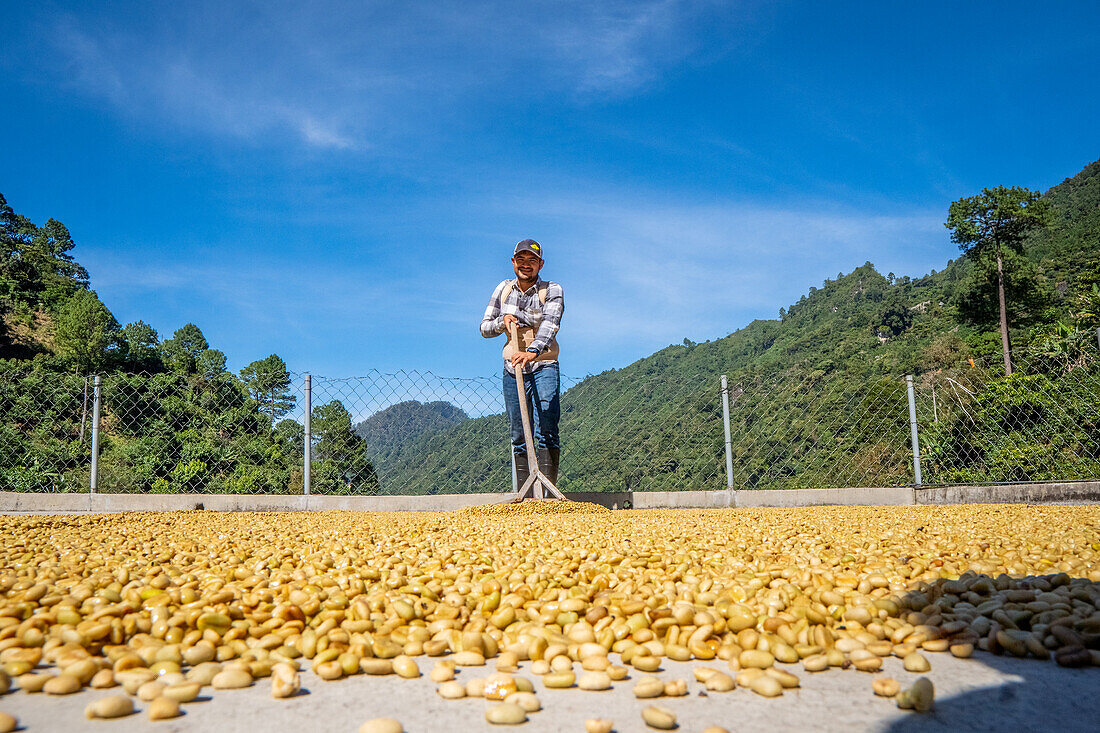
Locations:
(1037, 494)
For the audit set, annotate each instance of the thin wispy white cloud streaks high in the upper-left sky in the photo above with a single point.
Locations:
(345, 74)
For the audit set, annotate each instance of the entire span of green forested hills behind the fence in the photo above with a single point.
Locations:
(175, 420)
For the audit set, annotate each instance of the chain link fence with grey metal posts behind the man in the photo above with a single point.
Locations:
(415, 433)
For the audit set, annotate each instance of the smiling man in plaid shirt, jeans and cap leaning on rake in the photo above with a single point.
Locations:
(535, 307)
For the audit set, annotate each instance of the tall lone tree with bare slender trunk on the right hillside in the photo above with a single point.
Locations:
(992, 224)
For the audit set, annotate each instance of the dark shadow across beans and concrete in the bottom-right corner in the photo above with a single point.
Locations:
(1042, 696)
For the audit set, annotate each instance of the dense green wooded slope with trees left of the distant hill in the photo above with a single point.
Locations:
(174, 419)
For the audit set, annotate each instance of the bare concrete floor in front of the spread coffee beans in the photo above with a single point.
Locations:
(982, 694)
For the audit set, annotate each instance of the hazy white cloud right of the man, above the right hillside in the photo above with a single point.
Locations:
(643, 275)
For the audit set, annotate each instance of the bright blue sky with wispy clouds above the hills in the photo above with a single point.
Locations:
(342, 183)
